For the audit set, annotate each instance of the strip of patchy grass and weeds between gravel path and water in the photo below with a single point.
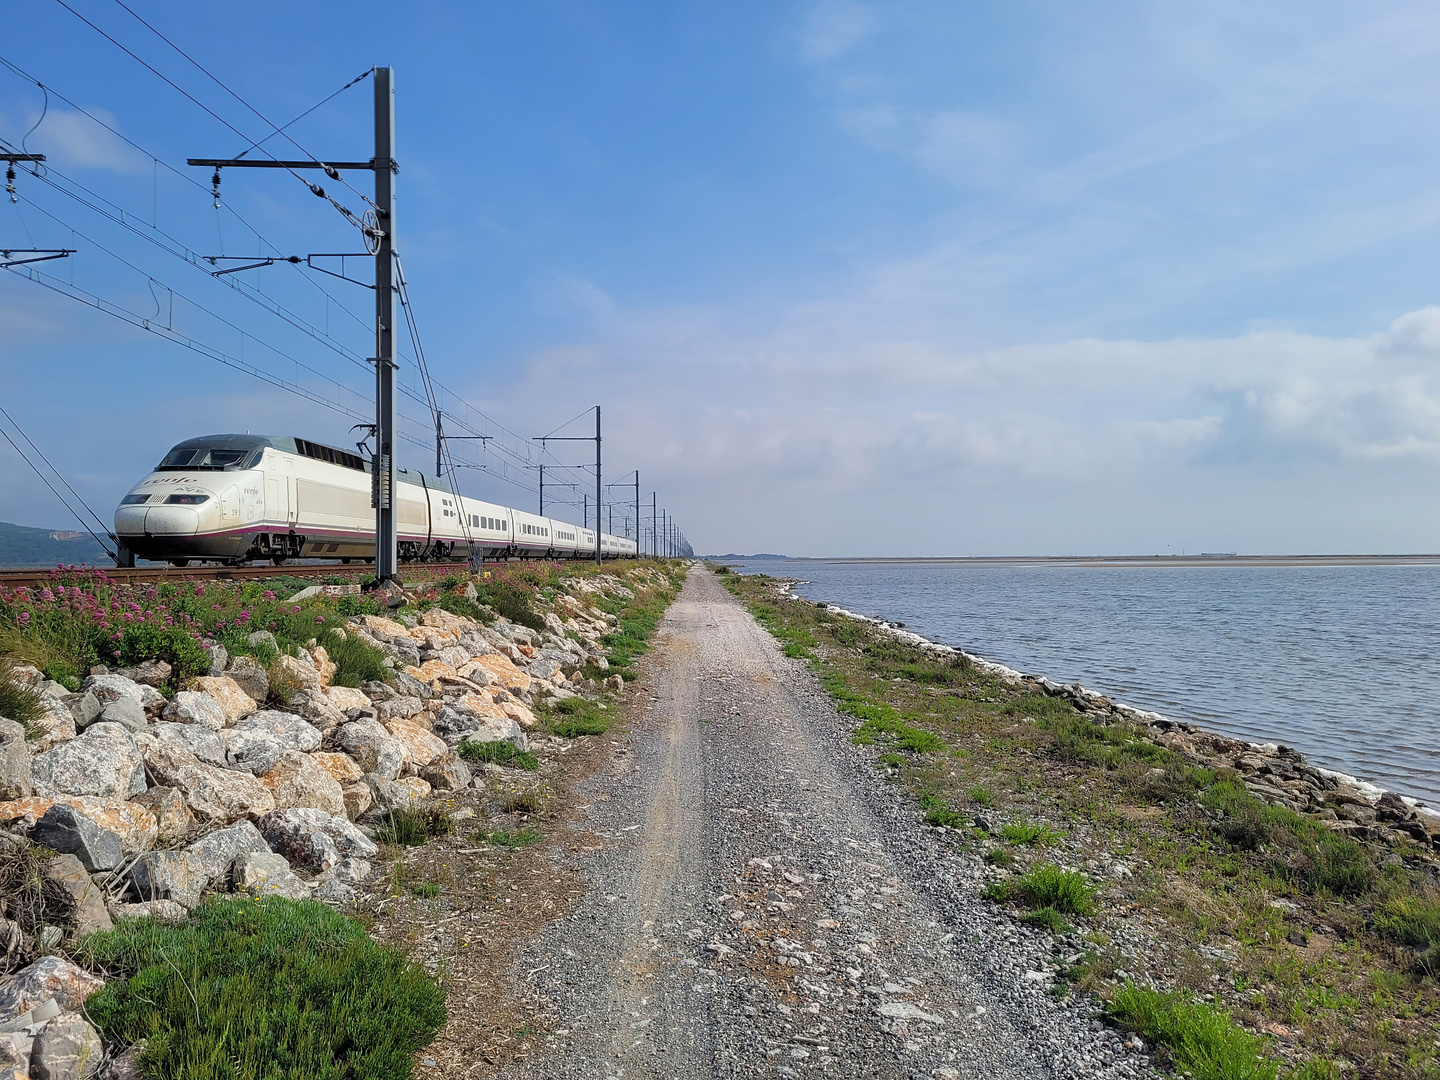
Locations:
(1282, 948)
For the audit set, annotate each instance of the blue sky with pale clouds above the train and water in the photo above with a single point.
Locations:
(847, 279)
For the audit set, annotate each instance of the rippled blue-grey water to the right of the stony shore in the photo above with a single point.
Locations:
(1338, 662)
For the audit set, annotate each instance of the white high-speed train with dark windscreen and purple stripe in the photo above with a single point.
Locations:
(234, 499)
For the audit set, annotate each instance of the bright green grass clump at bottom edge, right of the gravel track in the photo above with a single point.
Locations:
(1202, 1040)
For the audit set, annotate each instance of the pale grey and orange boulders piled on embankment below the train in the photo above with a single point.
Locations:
(254, 780)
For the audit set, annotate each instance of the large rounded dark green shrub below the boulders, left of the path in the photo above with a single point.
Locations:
(267, 990)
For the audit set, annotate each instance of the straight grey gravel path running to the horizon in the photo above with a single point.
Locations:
(767, 905)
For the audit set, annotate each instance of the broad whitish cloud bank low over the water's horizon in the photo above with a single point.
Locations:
(767, 438)
